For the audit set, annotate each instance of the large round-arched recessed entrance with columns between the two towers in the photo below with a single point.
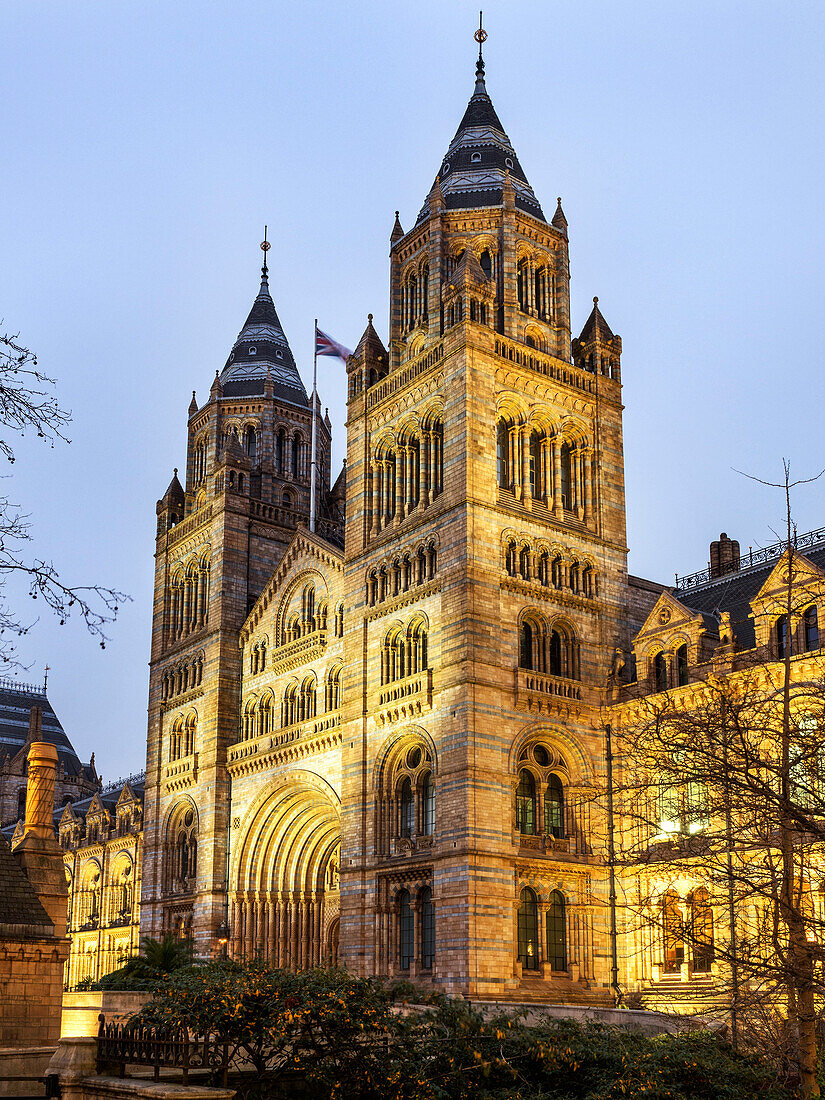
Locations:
(285, 875)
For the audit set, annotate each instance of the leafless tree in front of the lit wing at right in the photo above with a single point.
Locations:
(721, 790)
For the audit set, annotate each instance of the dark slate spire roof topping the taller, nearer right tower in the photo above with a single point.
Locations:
(472, 174)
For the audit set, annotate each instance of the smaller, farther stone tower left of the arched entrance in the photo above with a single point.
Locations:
(247, 489)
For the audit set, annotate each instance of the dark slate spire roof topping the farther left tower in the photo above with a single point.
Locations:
(262, 344)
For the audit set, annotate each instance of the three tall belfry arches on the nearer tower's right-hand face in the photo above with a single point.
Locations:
(538, 464)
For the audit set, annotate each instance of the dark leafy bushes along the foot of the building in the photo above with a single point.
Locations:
(336, 1037)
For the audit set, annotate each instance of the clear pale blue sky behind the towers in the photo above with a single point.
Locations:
(148, 144)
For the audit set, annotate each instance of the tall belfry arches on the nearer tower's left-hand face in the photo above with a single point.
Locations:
(405, 474)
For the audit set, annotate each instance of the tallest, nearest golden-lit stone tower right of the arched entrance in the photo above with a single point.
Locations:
(486, 576)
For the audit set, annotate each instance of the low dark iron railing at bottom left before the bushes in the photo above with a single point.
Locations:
(127, 1044)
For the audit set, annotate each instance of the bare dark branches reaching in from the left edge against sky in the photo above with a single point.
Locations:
(28, 405)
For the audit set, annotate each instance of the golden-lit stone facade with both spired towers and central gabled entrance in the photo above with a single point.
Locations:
(379, 743)
